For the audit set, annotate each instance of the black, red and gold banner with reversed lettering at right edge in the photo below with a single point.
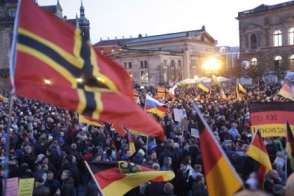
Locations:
(270, 118)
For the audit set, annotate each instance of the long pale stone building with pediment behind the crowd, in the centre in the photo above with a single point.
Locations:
(162, 59)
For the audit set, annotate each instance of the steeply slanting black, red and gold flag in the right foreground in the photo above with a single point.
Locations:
(221, 177)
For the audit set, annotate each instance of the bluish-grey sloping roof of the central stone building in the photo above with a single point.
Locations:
(166, 36)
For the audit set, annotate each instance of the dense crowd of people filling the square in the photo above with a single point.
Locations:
(49, 144)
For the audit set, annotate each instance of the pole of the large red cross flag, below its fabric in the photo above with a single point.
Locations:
(7, 149)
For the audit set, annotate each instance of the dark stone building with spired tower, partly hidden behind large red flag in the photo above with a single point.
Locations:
(7, 15)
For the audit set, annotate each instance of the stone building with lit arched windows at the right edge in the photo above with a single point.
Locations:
(267, 36)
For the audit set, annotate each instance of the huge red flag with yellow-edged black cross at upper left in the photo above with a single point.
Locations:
(67, 71)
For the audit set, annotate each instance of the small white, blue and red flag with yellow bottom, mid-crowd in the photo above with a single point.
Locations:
(155, 107)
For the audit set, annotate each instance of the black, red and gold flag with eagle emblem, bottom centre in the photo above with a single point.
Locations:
(117, 178)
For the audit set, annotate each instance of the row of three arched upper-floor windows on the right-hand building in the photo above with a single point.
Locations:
(277, 38)
